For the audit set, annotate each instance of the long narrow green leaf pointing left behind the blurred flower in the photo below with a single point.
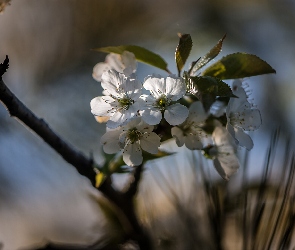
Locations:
(141, 55)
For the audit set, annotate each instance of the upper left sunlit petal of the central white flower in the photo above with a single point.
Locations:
(156, 85)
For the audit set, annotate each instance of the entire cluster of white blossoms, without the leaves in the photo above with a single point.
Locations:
(135, 110)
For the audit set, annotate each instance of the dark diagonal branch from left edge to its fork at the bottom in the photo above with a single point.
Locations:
(84, 165)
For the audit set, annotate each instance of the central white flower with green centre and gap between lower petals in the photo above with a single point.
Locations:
(163, 93)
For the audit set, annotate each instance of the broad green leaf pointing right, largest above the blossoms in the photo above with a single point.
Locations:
(238, 65)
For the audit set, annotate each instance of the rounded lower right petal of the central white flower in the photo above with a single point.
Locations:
(176, 114)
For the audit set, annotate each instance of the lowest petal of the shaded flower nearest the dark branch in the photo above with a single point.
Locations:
(132, 154)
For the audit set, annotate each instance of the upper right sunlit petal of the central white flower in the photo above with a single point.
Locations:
(175, 88)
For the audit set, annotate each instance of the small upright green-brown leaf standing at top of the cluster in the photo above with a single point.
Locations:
(183, 50)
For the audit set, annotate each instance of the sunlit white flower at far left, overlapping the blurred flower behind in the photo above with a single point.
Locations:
(122, 102)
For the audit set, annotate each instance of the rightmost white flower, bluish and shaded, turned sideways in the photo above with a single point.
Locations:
(241, 116)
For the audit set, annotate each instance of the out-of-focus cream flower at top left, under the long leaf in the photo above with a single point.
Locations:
(124, 63)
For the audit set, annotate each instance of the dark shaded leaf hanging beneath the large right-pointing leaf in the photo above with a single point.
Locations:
(207, 88)
